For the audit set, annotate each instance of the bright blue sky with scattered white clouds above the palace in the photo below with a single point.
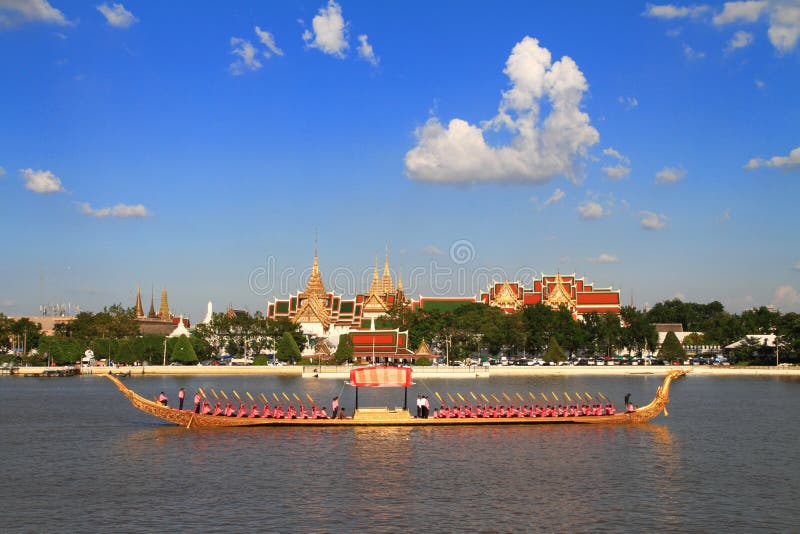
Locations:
(200, 147)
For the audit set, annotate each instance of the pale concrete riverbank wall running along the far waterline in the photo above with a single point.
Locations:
(342, 372)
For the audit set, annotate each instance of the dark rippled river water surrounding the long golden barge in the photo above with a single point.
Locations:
(77, 457)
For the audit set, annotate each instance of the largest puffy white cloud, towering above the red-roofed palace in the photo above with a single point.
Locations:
(540, 147)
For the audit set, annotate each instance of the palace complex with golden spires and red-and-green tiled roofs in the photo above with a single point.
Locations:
(324, 315)
